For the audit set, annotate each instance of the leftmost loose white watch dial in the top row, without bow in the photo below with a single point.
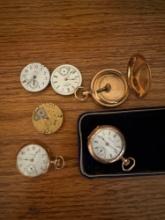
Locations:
(35, 77)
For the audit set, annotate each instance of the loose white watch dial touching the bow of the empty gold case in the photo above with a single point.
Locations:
(65, 79)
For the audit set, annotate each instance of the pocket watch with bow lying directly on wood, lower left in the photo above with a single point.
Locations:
(33, 160)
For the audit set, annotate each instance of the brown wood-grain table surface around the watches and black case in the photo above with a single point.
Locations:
(91, 35)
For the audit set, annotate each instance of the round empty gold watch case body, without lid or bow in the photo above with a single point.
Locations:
(109, 88)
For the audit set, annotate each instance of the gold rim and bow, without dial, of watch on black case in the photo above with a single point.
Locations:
(127, 163)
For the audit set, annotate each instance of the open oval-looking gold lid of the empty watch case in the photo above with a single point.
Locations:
(139, 75)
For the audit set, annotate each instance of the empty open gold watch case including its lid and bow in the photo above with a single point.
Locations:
(110, 87)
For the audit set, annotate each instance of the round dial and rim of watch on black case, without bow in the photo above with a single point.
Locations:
(107, 144)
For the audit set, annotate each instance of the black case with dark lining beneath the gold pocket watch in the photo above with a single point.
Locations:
(144, 132)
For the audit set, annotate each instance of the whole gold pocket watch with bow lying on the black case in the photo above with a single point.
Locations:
(106, 144)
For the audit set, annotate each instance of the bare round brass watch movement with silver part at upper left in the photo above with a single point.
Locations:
(47, 118)
